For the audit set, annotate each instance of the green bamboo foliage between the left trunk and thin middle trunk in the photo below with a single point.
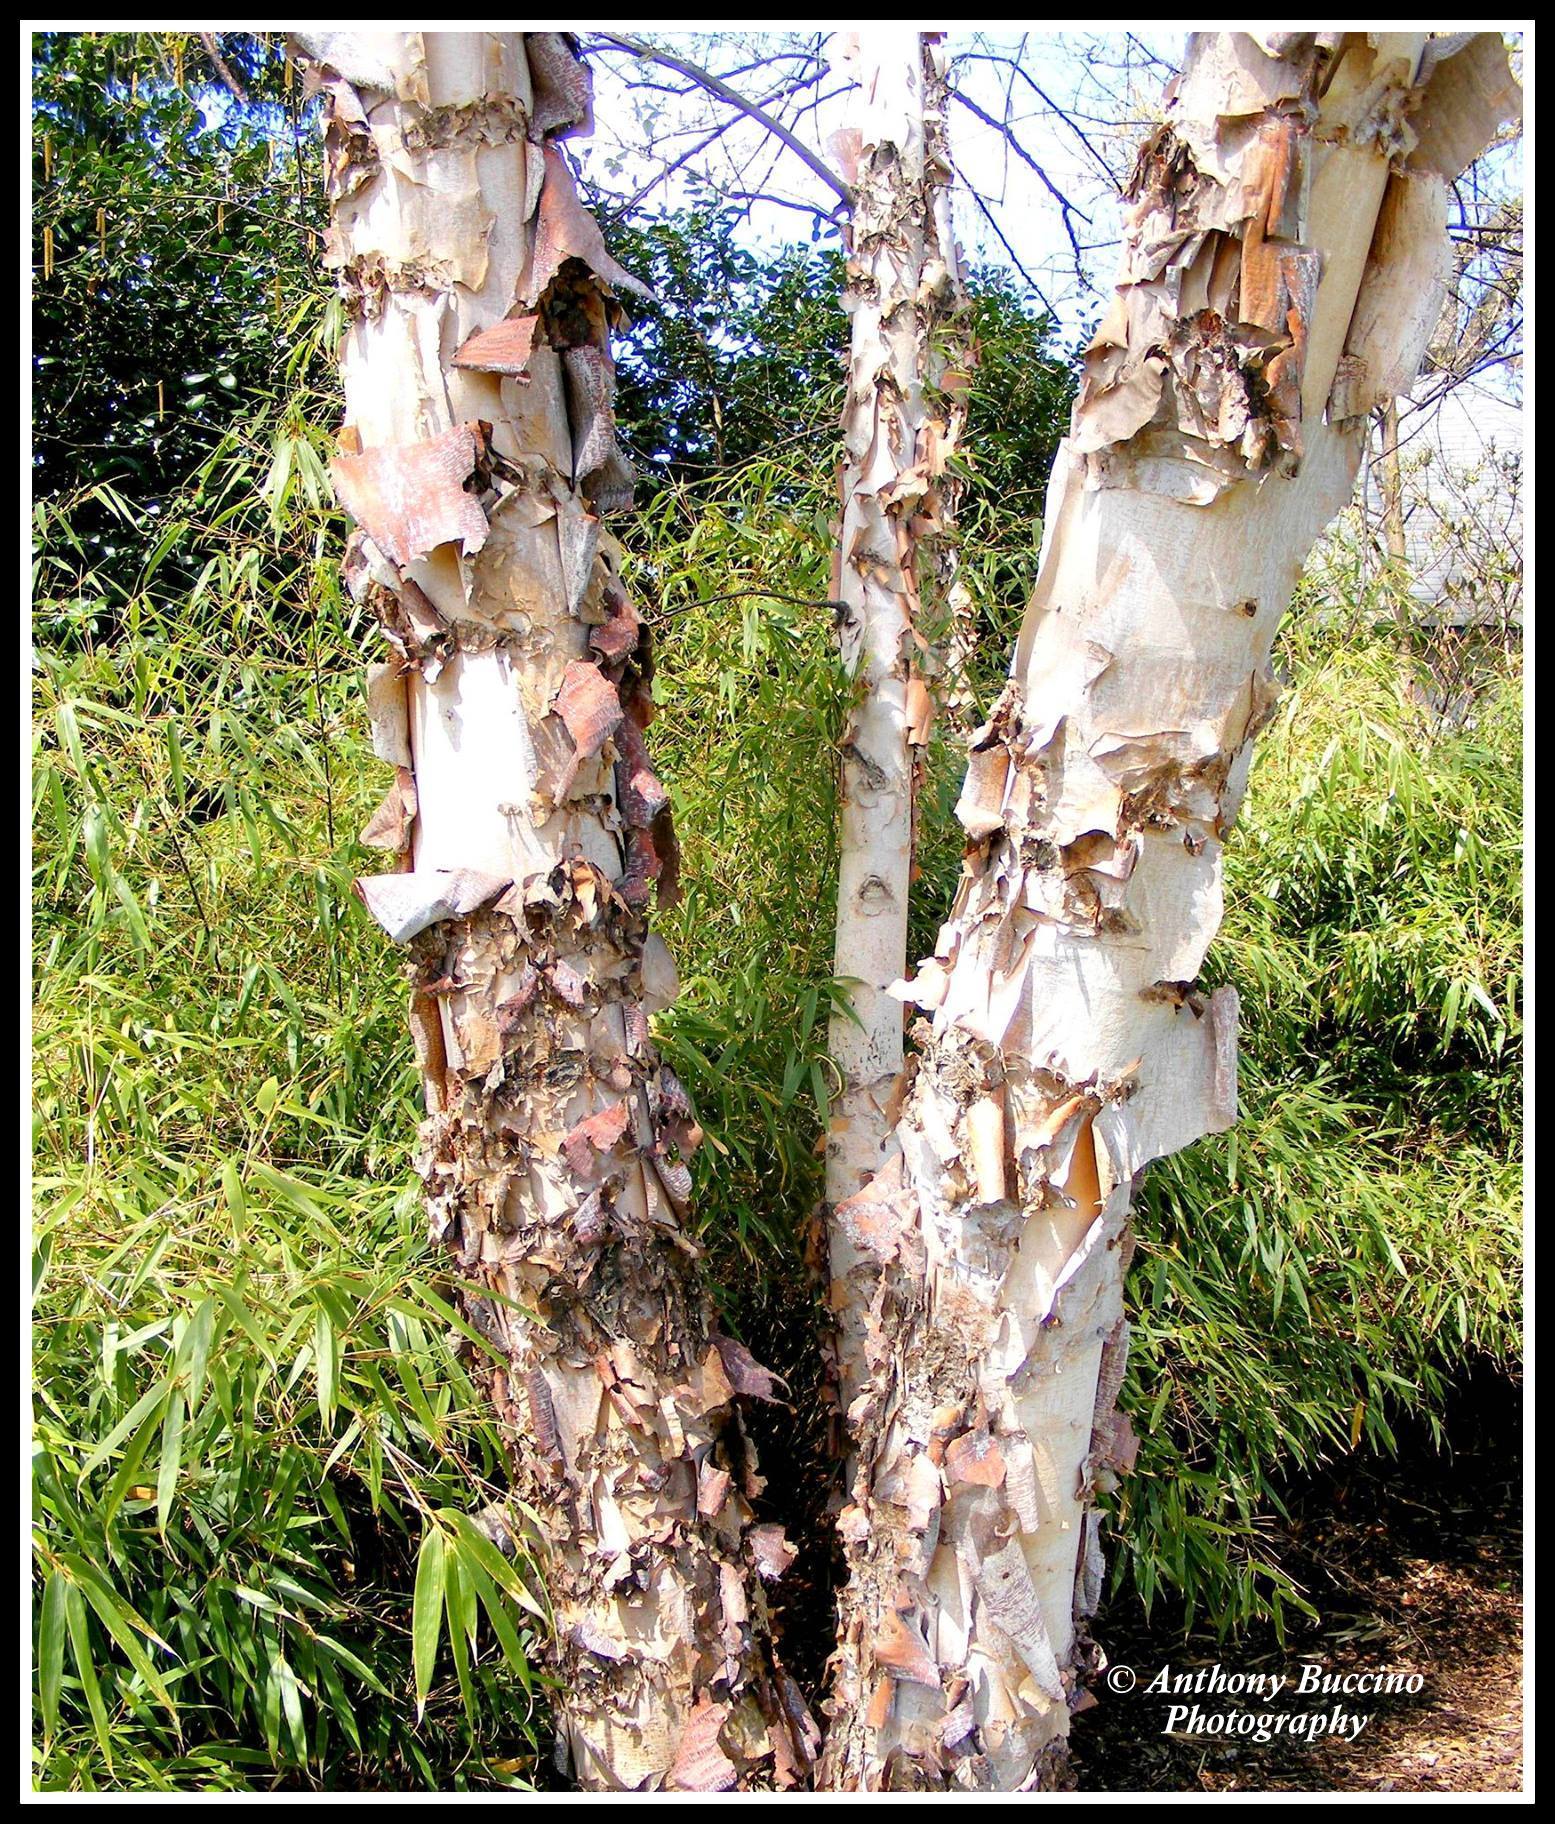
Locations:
(737, 570)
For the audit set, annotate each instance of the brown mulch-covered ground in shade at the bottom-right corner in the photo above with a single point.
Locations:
(1416, 1568)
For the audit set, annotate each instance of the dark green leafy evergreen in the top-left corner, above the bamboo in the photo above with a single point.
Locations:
(181, 231)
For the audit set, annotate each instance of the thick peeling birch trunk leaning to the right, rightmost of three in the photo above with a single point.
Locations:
(1282, 271)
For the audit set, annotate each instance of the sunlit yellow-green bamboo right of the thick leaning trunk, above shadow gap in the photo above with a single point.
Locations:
(1377, 876)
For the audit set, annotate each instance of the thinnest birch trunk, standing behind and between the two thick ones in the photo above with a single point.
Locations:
(900, 424)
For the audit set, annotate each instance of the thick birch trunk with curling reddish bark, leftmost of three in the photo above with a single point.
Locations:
(530, 827)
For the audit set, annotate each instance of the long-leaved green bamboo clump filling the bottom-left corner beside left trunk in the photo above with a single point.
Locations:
(247, 1402)
